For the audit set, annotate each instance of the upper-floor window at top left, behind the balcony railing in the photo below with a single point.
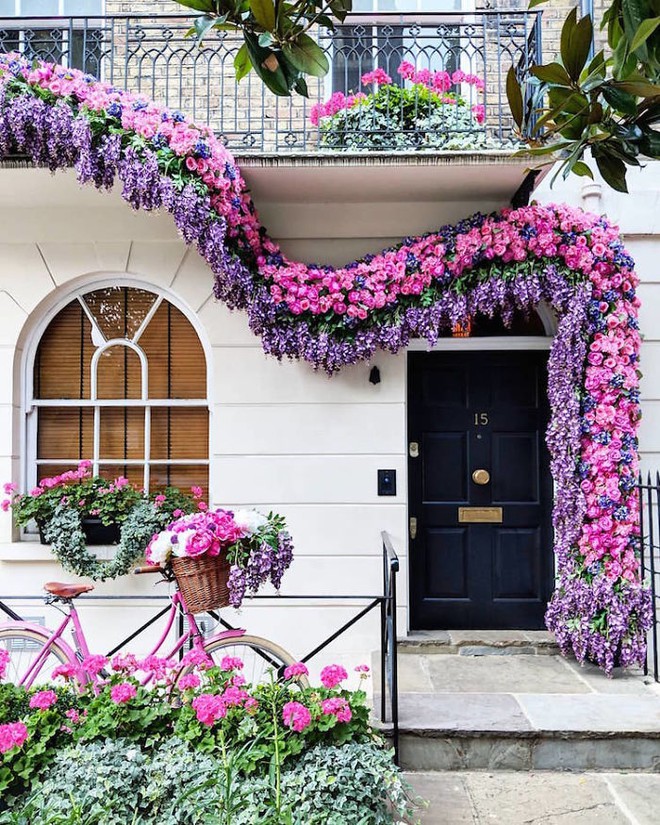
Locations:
(77, 43)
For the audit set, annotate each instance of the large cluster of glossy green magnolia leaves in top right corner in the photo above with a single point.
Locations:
(608, 106)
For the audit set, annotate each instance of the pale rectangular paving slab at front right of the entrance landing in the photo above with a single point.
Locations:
(592, 712)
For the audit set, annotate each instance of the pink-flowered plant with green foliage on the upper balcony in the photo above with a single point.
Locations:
(431, 113)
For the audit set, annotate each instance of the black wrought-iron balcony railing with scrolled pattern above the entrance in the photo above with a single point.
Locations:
(151, 55)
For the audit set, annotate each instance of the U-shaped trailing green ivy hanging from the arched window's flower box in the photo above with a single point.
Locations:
(69, 545)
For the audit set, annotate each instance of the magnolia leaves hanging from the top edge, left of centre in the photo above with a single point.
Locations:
(276, 44)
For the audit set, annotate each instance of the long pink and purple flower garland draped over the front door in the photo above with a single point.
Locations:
(332, 317)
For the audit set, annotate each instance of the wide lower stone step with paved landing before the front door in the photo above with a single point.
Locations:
(523, 713)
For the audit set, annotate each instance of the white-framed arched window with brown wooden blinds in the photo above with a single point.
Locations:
(120, 379)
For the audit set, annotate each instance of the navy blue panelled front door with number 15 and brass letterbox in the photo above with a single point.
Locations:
(480, 491)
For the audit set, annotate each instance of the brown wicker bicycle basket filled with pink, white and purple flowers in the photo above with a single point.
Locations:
(218, 555)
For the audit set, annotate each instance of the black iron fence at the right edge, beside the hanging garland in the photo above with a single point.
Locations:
(649, 501)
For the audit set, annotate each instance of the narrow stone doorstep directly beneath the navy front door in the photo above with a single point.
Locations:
(479, 642)
